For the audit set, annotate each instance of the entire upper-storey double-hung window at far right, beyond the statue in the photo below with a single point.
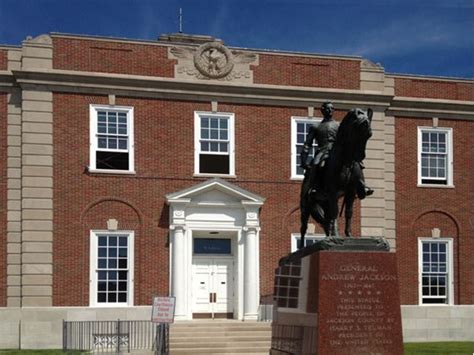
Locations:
(435, 156)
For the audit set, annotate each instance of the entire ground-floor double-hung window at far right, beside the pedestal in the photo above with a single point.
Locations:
(436, 271)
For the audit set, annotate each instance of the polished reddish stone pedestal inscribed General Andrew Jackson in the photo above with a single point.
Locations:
(348, 303)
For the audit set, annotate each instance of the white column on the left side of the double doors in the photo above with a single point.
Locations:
(178, 264)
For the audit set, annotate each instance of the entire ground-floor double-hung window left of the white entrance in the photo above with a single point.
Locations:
(111, 268)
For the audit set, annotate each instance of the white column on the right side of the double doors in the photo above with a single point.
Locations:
(251, 273)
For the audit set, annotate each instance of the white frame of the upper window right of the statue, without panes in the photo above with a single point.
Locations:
(449, 156)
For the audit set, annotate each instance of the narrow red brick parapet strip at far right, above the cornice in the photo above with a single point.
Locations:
(451, 90)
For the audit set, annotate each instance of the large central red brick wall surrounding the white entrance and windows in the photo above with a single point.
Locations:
(164, 161)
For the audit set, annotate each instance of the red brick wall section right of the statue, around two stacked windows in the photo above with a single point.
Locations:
(420, 209)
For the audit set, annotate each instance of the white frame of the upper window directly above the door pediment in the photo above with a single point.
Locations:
(197, 139)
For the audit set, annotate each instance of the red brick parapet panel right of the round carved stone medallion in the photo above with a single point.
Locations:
(305, 71)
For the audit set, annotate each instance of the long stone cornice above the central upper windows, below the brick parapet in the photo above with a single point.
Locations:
(170, 88)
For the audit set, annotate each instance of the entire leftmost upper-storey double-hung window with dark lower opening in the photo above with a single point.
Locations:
(111, 138)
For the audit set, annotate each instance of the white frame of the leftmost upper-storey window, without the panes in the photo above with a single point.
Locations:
(93, 114)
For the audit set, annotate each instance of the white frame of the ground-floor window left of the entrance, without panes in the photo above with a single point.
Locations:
(94, 234)
